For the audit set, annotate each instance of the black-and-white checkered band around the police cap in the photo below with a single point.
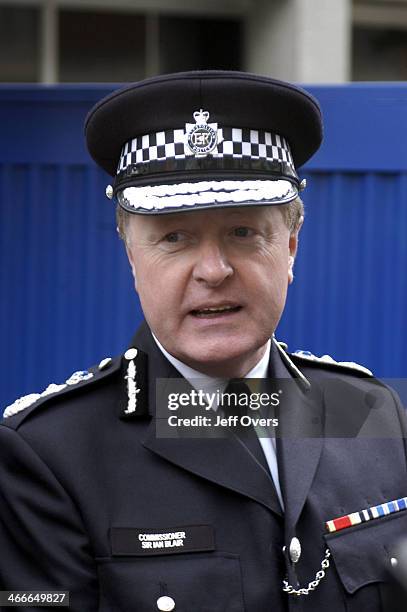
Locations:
(232, 143)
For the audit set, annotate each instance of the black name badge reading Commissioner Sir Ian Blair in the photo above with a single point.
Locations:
(139, 542)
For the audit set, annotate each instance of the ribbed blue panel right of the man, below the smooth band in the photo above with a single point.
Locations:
(349, 298)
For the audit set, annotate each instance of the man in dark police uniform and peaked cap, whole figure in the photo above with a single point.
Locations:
(97, 497)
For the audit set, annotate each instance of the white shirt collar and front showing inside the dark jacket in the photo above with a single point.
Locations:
(208, 384)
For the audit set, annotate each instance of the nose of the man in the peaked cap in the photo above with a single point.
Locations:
(212, 265)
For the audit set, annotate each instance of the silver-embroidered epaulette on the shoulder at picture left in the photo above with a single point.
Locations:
(78, 379)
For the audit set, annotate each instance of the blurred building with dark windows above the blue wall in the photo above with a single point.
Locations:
(309, 41)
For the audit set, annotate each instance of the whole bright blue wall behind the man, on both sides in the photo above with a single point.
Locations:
(66, 292)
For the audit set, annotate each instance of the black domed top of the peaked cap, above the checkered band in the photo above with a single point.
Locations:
(235, 99)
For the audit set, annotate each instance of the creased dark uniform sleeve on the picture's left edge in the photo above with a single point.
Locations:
(43, 544)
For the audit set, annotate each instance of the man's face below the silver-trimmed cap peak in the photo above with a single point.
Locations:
(213, 284)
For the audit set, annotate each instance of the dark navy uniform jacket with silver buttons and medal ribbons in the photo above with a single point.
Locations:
(80, 483)
